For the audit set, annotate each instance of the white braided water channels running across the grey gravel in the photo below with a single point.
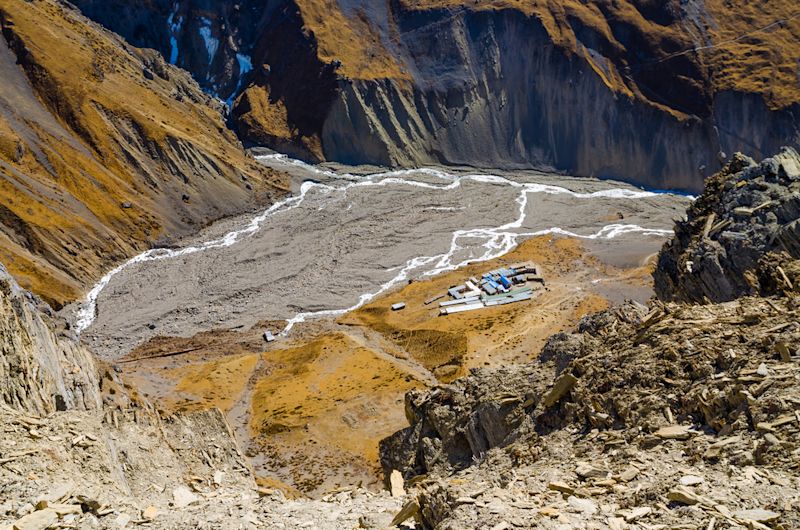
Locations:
(496, 241)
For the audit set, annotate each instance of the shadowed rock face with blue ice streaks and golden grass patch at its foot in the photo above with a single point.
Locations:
(260, 51)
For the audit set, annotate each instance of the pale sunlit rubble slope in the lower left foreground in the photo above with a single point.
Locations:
(78, 449)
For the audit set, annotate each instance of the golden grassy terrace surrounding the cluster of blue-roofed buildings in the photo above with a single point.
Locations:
(311, 408)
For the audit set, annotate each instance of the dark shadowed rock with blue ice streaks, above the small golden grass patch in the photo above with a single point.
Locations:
(227, 46)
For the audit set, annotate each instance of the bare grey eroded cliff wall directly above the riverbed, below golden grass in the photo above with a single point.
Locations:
(503, 95)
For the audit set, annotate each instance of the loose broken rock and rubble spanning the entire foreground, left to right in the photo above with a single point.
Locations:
(678, 414)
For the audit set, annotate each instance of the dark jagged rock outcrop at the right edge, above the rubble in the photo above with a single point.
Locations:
(746, 212)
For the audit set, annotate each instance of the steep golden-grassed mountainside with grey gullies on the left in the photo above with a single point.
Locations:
(104, 149)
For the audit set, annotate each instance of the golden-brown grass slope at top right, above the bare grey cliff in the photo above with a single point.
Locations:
(675, 55)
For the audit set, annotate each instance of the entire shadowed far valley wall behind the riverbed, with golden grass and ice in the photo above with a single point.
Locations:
(653, 92)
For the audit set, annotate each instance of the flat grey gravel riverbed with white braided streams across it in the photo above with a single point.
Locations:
(347, 235)
